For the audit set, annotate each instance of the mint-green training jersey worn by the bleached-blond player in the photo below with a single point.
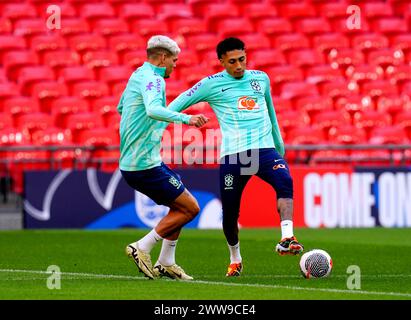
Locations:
(144, 116)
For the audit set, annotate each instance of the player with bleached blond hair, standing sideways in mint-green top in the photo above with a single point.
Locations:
(144, 116)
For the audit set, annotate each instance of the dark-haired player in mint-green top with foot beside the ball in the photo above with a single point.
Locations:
(241, 100)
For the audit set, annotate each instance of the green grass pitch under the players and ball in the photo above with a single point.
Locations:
(94, 266)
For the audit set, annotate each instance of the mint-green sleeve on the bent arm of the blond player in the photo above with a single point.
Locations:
(152, 91)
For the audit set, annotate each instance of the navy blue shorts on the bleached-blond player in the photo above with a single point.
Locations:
(161, 184)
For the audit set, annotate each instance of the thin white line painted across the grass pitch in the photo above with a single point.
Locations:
(254, 285)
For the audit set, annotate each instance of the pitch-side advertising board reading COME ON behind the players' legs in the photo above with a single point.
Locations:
(329, 195)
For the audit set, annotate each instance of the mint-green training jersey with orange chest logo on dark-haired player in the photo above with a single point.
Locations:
(243, 107)
